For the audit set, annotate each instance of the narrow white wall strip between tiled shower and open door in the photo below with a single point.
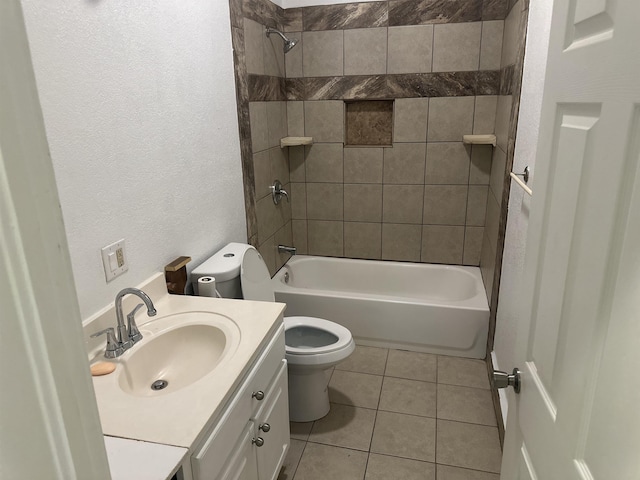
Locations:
(509, 311)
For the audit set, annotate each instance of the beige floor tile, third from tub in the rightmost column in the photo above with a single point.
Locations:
(469, 446)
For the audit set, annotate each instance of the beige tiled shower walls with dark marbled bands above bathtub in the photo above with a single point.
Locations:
(423, 198)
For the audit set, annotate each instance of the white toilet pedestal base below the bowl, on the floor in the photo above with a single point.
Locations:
(308, 394)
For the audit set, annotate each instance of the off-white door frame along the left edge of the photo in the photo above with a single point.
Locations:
(51, 414)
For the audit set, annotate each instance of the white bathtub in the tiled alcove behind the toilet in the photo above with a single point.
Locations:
(421, 307)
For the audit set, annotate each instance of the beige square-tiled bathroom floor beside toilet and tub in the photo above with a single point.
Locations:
(400, 415)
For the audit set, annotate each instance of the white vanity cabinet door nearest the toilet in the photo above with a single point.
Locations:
(275, 413)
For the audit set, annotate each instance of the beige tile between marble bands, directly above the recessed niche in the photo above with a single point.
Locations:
(365, 51)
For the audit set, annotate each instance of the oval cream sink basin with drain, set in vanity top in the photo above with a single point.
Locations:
(173, 359)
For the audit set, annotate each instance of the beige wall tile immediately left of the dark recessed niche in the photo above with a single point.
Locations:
(324, 120)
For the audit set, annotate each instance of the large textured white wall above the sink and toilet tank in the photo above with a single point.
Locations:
(139, 107)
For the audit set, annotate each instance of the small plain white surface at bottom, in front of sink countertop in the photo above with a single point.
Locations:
(136, 460)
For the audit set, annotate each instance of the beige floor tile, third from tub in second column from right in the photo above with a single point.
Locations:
(417, 440)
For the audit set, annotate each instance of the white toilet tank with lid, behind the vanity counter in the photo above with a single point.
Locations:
(224, 266)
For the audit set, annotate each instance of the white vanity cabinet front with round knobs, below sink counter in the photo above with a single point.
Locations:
(250, 439)
